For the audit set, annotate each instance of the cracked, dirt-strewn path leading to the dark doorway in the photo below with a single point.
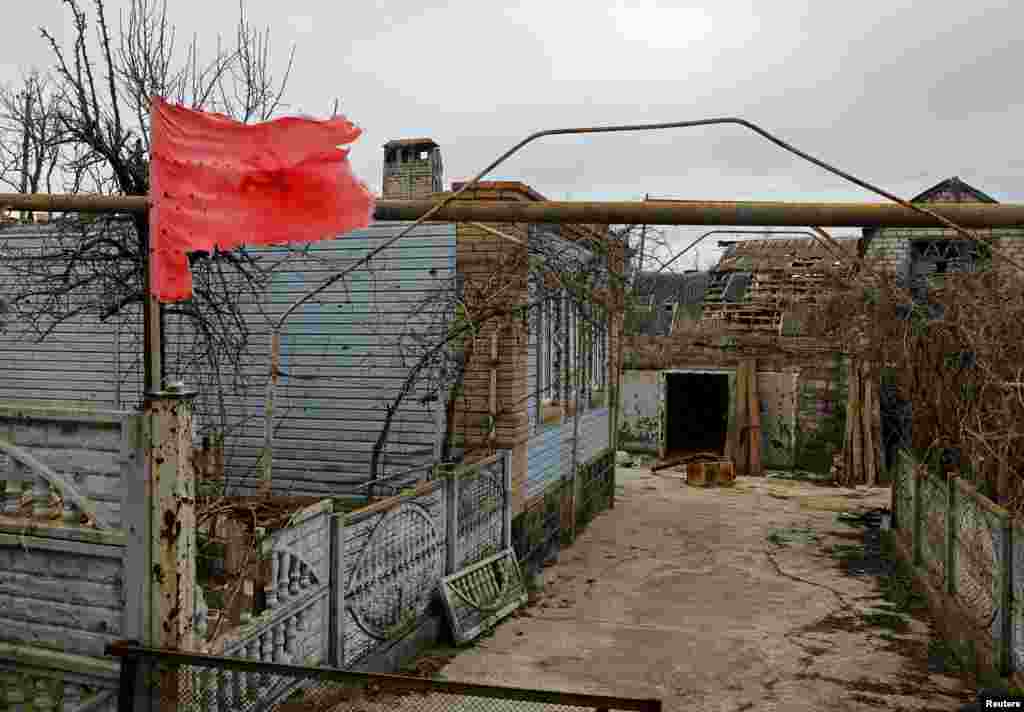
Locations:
(720, 600)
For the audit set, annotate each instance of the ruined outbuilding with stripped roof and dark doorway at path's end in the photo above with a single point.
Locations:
(680, 386)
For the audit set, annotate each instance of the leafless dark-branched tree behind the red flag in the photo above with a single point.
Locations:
(83, 128)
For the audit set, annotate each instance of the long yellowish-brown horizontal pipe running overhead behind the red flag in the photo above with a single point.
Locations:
(741, 214)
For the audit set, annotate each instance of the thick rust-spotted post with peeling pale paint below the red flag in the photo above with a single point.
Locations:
(170, 490)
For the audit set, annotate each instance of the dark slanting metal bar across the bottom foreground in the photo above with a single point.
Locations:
(388, 682)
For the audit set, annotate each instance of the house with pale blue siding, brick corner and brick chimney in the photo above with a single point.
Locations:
(347, 411)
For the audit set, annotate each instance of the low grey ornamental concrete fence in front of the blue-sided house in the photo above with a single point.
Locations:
(343, 588)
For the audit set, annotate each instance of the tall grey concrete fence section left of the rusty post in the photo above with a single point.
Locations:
(66, 583)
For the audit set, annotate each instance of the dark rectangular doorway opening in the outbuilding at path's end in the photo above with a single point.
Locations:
(697, 412)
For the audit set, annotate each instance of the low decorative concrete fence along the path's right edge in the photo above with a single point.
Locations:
(970, 555)
